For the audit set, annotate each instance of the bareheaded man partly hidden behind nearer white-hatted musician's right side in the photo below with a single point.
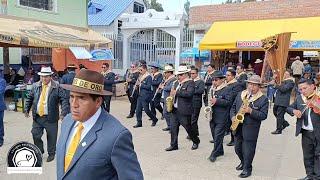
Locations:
(197, 99)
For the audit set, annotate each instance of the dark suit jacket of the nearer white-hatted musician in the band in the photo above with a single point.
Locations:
(184, 97)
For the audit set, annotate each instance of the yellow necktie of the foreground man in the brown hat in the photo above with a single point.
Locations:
(73, 147)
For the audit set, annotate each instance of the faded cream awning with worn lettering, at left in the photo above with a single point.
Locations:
(18, 32)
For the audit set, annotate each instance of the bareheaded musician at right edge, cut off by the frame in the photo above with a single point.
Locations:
(306, 109)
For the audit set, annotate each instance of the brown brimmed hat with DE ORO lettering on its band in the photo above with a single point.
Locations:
(88, 82)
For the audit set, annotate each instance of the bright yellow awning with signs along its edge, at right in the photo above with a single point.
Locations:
(246, 35)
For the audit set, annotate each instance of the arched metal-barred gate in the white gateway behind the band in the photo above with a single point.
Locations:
(152, 45)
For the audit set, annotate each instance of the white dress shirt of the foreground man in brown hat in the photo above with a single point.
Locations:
(87, 125)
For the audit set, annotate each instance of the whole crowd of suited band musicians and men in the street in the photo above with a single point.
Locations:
(234, 103)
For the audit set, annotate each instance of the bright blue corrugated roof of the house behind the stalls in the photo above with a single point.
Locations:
(111, 9)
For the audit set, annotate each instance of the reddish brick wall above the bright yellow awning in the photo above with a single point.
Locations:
(204, 16)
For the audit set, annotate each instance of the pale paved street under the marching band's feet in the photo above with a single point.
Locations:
(277, 157)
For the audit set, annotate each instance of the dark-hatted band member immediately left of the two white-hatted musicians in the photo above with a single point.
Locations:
(156, 80)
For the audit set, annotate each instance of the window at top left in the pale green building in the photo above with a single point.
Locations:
(38, 4)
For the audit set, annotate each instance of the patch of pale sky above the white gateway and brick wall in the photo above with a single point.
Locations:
(174, 5)
